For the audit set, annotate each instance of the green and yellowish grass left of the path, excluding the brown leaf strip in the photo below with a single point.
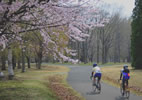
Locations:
(31, 85)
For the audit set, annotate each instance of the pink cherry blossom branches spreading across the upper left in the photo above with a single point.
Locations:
(17, 17)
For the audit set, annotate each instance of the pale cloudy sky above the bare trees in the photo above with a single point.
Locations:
(125, 7)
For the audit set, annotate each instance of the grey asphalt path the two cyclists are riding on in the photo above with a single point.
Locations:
(79, 79)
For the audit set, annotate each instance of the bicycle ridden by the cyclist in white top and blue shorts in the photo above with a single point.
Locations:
(96, 87)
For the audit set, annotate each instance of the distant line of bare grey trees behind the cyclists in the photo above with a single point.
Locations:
(110, 43)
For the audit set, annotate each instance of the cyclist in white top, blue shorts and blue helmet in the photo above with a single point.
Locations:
(96, 72)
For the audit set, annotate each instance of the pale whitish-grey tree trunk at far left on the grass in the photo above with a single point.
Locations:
(10, 68)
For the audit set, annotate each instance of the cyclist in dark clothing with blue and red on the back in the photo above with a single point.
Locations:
(125, 76)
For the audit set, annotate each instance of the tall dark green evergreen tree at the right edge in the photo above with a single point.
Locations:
(136, 38)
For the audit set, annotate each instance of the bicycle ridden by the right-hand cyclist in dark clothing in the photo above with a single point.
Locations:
(125, 93)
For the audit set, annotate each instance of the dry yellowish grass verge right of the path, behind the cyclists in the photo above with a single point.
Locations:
(112, 74)
